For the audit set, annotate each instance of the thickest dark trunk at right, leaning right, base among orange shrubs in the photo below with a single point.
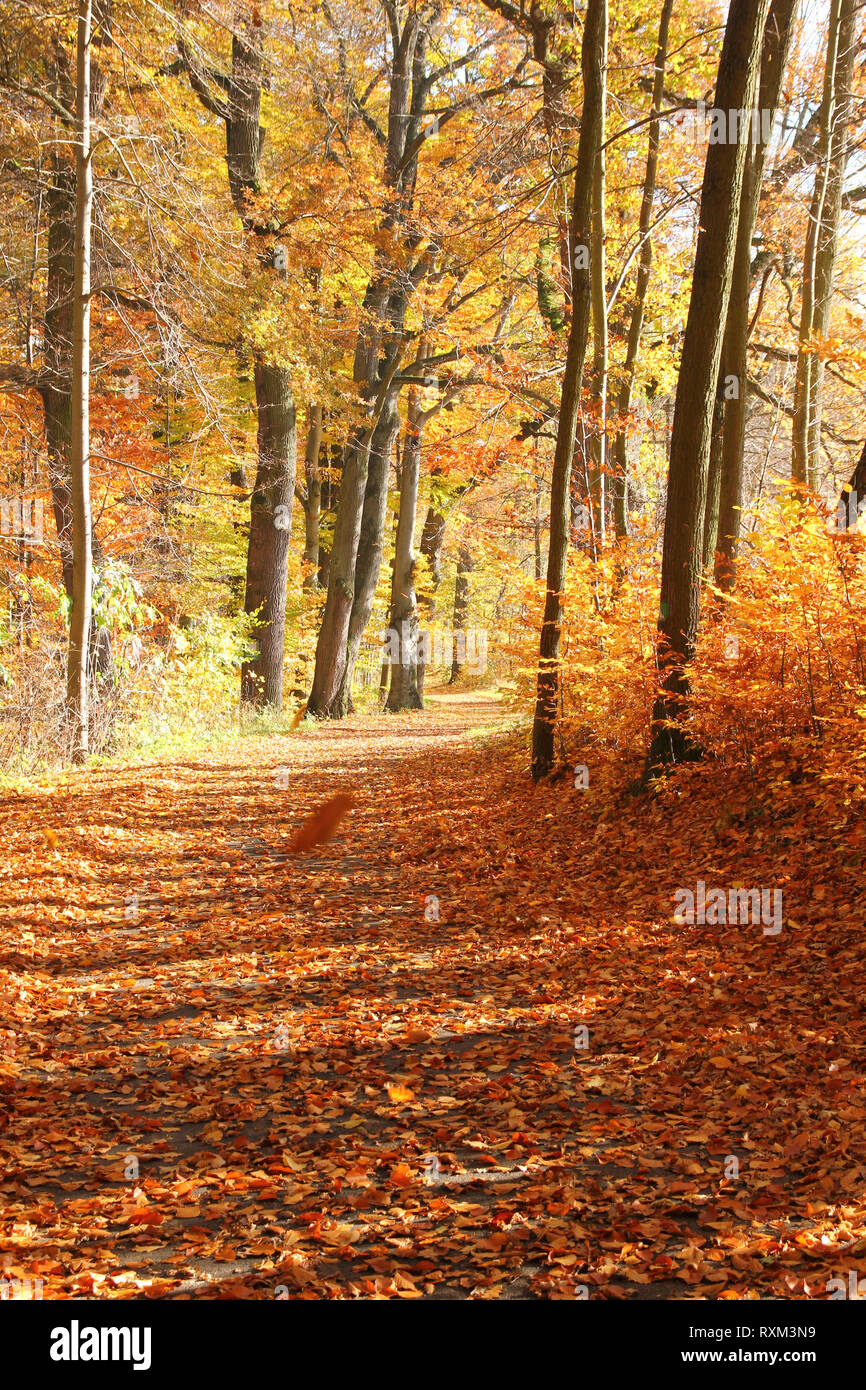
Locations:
(690, 445)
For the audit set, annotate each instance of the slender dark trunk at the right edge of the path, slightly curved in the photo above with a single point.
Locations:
(550, 678)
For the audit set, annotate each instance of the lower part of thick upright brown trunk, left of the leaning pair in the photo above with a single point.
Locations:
(269, 541)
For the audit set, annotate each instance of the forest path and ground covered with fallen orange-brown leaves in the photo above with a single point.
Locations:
(284, 1077)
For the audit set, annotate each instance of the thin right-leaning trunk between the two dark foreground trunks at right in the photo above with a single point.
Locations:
(636, 327)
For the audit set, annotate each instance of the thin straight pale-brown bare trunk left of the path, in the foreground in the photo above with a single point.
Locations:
(80, 454)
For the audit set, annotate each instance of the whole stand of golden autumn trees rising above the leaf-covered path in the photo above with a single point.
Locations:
(368, 216)
